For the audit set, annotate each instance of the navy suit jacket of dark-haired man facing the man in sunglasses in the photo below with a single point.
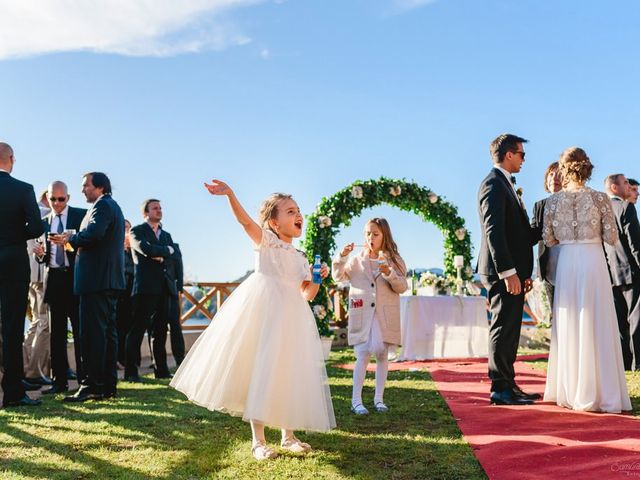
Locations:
(99, 245)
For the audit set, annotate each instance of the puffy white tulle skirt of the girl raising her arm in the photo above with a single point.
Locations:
(261, 359)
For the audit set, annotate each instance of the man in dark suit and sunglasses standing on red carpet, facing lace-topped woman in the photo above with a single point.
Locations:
(505, 263)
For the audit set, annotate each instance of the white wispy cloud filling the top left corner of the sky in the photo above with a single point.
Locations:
(127, 27)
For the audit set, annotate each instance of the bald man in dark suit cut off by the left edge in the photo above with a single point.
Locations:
(19, 221)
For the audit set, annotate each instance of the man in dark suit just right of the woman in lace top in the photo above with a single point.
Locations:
(623, 260)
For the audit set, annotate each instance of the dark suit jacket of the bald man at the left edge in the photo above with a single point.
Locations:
(19, 221)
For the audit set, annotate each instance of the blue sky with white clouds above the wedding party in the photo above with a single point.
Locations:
(306, 97)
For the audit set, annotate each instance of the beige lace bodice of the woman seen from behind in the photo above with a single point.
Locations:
(584, 215)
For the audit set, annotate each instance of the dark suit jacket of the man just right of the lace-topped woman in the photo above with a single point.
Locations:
(623, 258)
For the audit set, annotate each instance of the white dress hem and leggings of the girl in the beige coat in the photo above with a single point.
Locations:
(363, 352)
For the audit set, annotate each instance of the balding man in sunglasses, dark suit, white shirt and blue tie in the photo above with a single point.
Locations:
(58, 285)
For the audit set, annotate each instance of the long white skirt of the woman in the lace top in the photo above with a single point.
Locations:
(585, 370)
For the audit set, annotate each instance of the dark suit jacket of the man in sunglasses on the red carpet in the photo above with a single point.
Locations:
(507, 237)
